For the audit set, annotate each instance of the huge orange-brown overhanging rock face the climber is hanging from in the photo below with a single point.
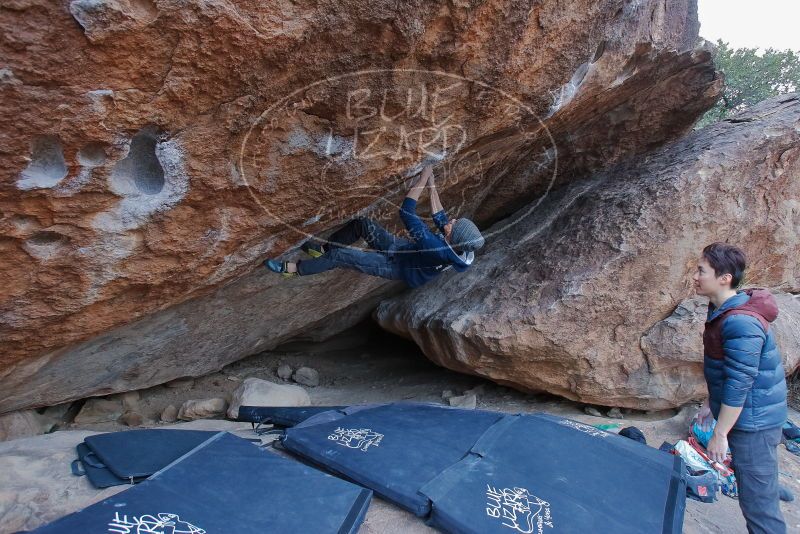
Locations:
(160, 150)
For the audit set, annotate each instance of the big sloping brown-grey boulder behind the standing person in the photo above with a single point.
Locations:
(589, 297)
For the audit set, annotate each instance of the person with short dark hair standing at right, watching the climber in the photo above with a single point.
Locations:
(746, 383)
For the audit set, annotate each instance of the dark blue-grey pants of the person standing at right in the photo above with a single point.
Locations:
(755, 464)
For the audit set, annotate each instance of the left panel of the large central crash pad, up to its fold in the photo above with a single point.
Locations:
(393, 449)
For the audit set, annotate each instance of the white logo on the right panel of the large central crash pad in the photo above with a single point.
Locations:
(518, 509)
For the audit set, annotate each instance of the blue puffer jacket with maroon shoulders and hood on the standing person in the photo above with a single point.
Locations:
(742, 365)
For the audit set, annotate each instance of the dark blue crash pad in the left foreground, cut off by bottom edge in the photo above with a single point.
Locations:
(226, 485)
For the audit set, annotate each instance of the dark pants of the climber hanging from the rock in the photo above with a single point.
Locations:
(380, 262)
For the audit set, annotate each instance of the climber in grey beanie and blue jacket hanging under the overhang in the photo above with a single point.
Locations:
(416, 261)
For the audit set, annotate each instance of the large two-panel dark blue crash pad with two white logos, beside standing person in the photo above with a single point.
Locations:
(482, 472)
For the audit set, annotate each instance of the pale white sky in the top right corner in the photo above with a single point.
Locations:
(752, 24)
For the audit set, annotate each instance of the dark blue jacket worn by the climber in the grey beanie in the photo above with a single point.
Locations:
(427, 254)
